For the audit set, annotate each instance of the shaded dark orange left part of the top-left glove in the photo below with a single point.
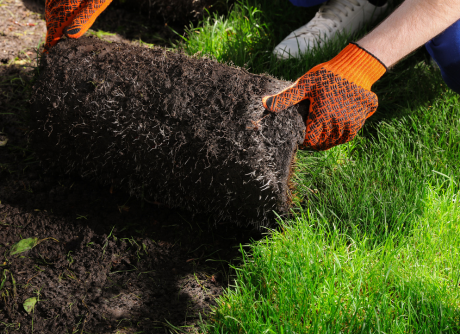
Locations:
(58, 14)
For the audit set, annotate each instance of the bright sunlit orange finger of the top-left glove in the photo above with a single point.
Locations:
(86, 17)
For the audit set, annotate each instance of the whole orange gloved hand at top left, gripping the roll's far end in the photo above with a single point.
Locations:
(70, 17)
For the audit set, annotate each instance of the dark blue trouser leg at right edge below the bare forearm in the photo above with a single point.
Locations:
(445, 50)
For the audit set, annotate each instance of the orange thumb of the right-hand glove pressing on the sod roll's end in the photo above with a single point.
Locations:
(295, 93)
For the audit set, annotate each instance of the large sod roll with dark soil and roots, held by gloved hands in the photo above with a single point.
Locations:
(184, 132)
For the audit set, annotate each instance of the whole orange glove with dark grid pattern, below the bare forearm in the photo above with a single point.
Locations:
(339, 94)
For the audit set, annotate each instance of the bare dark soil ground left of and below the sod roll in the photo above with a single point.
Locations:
(106, 263)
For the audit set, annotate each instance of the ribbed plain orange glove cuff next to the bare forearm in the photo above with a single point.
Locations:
(357, 65)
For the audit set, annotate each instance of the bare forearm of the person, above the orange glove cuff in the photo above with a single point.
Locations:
(414, 23)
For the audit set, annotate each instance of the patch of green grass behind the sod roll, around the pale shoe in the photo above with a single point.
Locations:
(246, 36)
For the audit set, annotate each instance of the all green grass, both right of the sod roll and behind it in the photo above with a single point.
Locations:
(374, 243)
